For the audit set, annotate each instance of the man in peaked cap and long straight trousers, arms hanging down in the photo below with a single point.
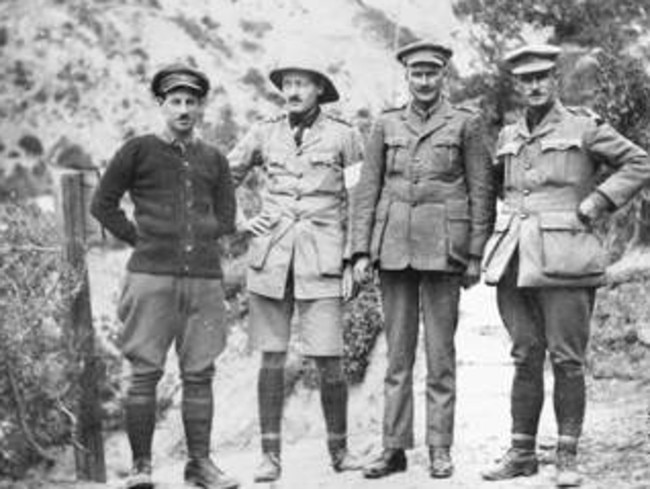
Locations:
(423, 211)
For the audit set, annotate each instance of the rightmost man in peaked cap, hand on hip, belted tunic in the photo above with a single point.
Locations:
(543, 256)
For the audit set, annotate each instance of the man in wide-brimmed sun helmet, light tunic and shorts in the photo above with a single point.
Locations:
(299, 251)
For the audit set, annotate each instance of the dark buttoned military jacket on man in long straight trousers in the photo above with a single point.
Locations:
(425, 197)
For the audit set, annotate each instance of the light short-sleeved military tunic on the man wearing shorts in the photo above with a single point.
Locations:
(304, 194)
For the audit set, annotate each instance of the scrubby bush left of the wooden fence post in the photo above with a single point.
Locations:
(39, 360)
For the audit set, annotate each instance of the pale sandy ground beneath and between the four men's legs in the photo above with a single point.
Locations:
(615, 454)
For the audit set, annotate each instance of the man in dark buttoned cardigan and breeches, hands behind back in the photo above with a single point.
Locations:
(184, 200)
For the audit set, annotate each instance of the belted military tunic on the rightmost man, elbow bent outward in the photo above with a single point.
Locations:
(546, 175)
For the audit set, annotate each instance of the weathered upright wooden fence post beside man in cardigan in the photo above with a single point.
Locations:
(89, 445)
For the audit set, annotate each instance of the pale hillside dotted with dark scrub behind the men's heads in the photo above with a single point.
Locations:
(78, 69)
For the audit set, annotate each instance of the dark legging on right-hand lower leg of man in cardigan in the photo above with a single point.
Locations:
(197, 413)
